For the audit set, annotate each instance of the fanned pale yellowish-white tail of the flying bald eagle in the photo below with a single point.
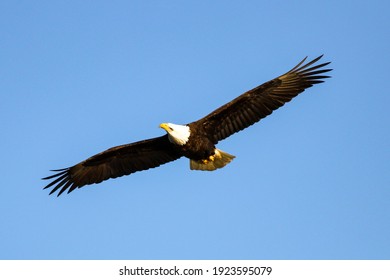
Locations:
(218, 160)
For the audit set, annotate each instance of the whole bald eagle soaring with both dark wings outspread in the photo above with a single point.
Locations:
(195, 140)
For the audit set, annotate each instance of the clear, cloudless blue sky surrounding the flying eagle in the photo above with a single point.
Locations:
(311, 181)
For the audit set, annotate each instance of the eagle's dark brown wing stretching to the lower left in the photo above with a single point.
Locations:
(114, 162)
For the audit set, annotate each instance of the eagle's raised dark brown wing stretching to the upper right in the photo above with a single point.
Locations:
(261, 101)
